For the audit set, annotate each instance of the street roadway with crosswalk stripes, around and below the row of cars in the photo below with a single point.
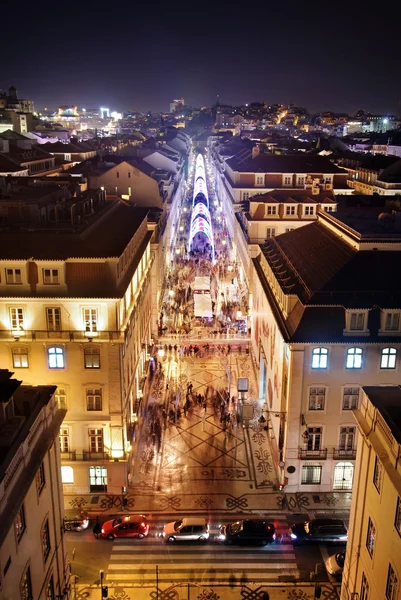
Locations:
(133, 561)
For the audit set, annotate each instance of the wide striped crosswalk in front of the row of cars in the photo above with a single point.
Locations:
(134, 562)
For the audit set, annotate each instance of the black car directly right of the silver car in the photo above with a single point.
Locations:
(251, 531)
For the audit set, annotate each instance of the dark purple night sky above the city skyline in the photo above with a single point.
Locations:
(322, 55)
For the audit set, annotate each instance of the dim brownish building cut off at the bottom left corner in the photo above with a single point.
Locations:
(33, 556)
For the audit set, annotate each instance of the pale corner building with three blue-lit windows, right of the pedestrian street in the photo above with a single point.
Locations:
(326, 320)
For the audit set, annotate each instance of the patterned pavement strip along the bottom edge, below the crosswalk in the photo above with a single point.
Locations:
(246, 591)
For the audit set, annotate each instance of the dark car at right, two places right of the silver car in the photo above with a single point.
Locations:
(319, 531)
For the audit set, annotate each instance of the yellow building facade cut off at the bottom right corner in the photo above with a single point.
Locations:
(372, 569)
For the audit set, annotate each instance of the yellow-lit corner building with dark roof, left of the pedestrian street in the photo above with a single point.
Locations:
(76, 313)
